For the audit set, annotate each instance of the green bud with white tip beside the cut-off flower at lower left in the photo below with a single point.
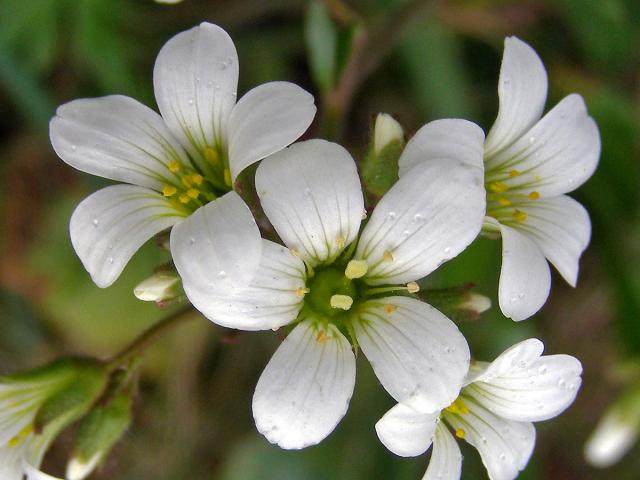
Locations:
(102, 428)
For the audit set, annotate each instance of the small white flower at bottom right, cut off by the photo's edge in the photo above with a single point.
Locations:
(493, 413)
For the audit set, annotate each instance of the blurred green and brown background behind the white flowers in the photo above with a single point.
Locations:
(193, 417)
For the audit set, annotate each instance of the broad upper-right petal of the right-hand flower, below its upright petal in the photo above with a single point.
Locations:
(557, 155)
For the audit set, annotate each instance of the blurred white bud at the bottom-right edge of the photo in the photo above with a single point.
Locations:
(616, 432)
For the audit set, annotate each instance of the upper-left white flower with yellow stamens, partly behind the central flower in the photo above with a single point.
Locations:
(174, 163)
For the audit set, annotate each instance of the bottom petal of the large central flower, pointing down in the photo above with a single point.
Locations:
(305, 389)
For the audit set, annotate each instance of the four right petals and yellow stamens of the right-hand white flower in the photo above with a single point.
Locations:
(531, 161)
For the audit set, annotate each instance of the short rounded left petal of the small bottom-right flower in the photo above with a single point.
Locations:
(407, 432)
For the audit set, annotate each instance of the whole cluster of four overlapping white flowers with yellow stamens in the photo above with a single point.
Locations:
(338, 281)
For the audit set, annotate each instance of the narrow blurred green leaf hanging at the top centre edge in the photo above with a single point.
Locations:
(321, 37)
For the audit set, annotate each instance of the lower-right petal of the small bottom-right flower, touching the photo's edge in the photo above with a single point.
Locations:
(505, 446)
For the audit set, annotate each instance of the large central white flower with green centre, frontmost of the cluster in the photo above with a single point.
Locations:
(333, 281)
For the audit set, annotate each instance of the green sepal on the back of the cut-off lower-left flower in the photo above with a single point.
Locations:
(75, 396)
